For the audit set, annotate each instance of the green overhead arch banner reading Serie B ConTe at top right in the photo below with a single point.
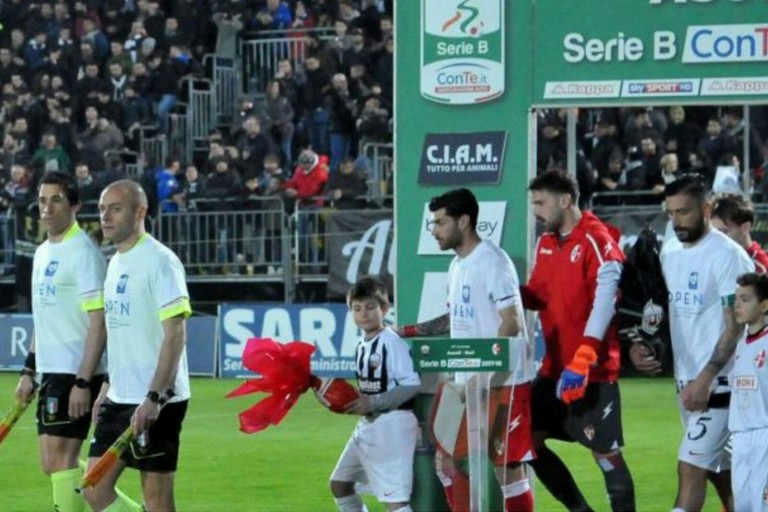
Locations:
(650, 52)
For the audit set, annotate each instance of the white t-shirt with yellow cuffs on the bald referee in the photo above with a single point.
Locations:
(145, 286)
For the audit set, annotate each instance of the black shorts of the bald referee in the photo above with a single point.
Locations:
(156, 451)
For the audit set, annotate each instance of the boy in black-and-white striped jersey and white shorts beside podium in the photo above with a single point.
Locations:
(381, 450)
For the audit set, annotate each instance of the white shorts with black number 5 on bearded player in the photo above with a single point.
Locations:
(704, 438)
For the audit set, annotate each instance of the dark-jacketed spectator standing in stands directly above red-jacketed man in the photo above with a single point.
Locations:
(312, 95)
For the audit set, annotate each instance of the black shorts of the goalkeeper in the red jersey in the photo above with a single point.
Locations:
(593, 421)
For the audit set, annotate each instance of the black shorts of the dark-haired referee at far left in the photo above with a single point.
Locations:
(53, 406)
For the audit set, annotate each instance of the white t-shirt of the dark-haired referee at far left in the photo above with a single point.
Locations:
(67, 283)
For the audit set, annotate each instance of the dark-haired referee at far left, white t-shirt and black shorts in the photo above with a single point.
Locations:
(68, 343)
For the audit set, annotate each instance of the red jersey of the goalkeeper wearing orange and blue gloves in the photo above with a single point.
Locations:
(565, 278)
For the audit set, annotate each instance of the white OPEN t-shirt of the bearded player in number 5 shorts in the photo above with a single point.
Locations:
(700, 279)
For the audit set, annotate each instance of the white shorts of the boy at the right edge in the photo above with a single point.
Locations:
(749, 475)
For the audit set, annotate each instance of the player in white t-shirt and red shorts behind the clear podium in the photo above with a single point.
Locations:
(484, 301)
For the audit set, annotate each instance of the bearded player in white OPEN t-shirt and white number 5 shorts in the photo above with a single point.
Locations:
(700, 273)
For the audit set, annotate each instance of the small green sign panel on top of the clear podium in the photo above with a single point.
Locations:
(460, 355)
